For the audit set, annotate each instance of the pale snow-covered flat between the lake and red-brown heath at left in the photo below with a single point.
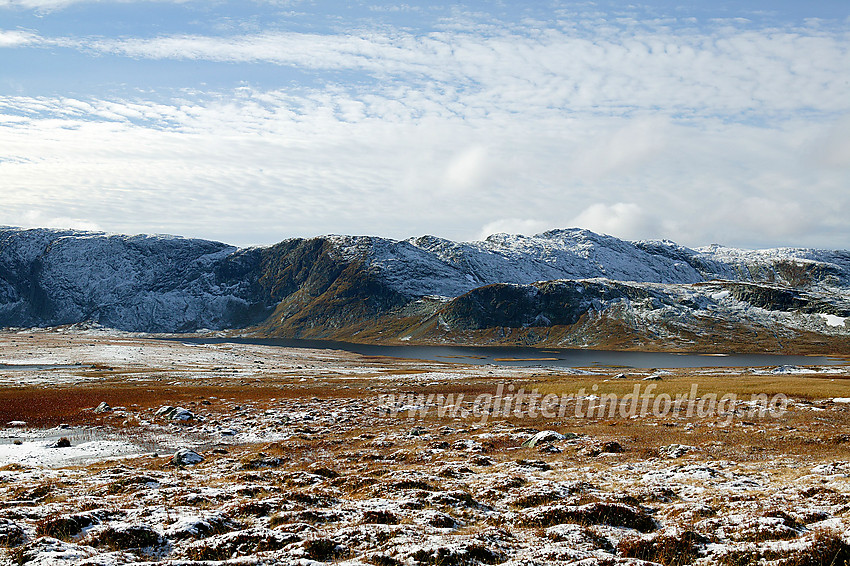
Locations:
(79, 357)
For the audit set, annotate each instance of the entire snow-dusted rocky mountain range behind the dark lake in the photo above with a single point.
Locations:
(563, 287)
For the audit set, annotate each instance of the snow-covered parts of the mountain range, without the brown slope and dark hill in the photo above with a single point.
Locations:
(168, 284)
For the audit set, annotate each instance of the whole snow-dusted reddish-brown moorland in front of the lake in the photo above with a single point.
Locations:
(302, 464)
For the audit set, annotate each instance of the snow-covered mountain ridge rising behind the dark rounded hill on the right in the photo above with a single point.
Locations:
(433, 266)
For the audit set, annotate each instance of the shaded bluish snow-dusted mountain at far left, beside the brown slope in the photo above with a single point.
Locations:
(142, 283)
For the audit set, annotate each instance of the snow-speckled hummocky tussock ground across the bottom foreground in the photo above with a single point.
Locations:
(388, 497)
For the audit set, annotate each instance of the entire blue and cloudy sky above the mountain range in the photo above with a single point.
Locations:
(254, 121)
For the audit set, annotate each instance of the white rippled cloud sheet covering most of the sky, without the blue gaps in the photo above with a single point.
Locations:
(635, 131)
